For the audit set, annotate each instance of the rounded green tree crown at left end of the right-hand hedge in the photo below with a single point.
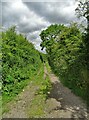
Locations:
(48, 36)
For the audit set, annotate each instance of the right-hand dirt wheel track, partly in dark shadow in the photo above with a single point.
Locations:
(69, 105)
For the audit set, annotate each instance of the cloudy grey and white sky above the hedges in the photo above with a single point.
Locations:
(32, 16)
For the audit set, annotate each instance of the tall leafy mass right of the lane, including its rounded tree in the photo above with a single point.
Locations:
(66, 56)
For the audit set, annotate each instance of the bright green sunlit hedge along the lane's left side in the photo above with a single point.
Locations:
(20, 61)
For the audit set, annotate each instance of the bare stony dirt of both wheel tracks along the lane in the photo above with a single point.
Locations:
(61, 102)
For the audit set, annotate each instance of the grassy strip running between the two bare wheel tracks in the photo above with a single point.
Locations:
(36, 108)
